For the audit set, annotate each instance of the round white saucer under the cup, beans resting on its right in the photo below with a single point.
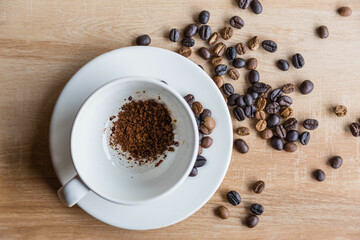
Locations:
(183, 75)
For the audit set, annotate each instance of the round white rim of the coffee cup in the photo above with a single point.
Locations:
(178, 97)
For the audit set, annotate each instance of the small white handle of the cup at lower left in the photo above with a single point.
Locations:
(73, 191)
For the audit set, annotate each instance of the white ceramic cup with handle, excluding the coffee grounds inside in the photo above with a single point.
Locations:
(102, 171)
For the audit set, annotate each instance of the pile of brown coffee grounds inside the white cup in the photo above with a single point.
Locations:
(143, 129)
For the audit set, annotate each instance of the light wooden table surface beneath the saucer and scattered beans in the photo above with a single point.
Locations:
(43, 43)
